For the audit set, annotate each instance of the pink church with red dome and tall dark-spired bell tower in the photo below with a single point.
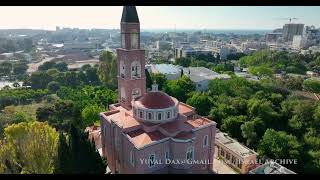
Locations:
(150, 131)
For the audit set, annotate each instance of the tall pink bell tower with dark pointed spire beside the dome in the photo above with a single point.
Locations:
(131, 59)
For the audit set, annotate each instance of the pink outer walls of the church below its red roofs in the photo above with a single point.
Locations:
(177, 150)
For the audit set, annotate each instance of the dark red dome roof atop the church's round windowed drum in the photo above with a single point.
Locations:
(156, 100)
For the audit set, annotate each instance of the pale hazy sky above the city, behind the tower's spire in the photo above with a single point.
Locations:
(158, 17)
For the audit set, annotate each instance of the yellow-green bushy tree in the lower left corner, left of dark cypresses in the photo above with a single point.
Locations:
(33, 146)
